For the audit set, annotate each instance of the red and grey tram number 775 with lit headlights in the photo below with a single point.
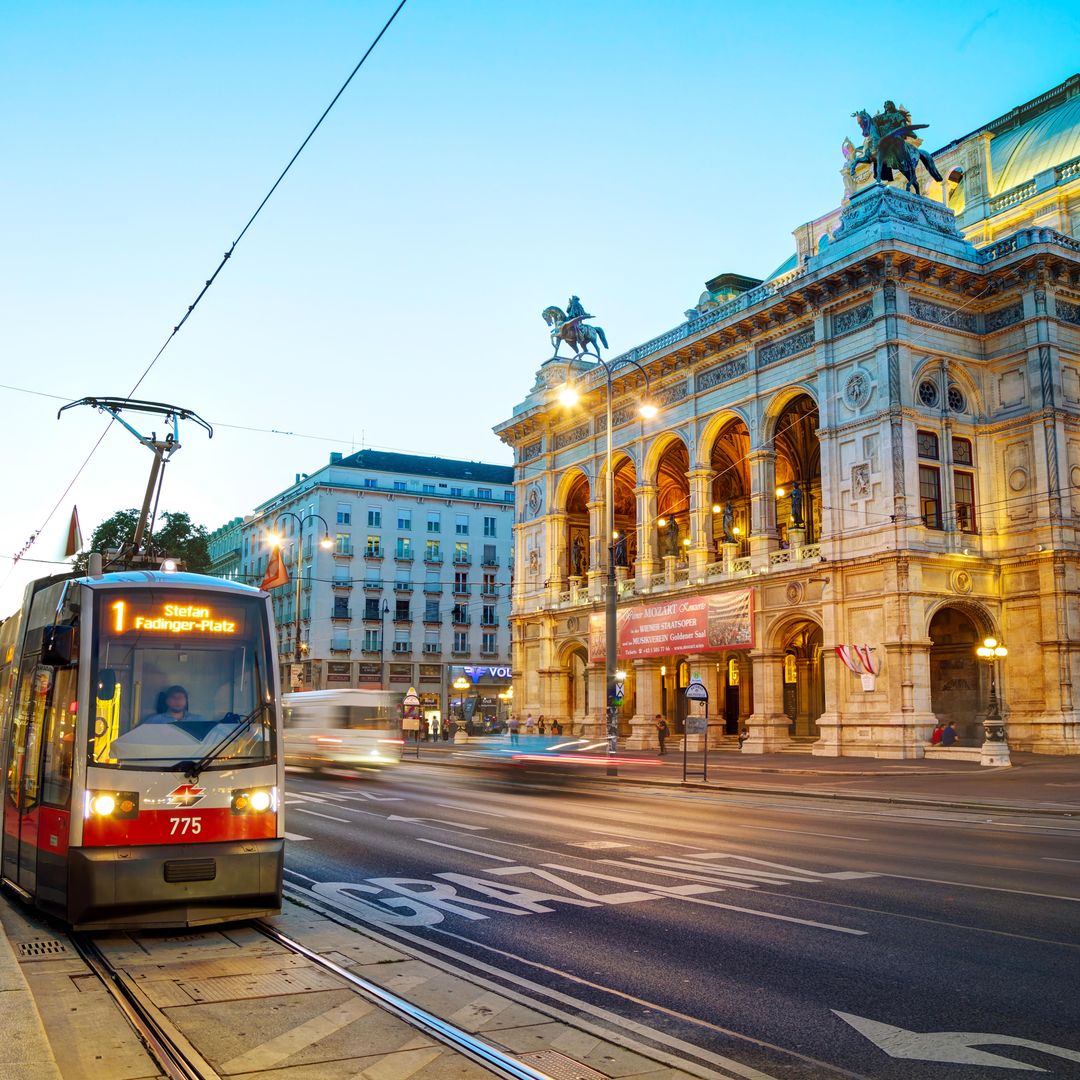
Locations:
(141, 751)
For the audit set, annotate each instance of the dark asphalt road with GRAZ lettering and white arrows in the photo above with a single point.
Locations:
(736, 928)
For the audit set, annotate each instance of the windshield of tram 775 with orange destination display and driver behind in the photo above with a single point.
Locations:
(181, 677)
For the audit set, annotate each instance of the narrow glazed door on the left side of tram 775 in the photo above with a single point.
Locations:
(22, 808)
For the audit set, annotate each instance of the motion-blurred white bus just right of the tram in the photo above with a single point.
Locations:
(343, 730)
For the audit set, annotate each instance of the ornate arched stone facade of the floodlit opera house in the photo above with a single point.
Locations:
(882, 447)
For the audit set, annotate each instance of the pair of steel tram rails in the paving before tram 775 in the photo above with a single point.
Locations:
(180, 1060)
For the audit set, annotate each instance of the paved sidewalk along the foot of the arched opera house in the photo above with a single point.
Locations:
(1036, 784)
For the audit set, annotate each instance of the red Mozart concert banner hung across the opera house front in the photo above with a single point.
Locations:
(683, 625)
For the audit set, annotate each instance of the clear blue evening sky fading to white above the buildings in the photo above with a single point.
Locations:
(489, 160)
